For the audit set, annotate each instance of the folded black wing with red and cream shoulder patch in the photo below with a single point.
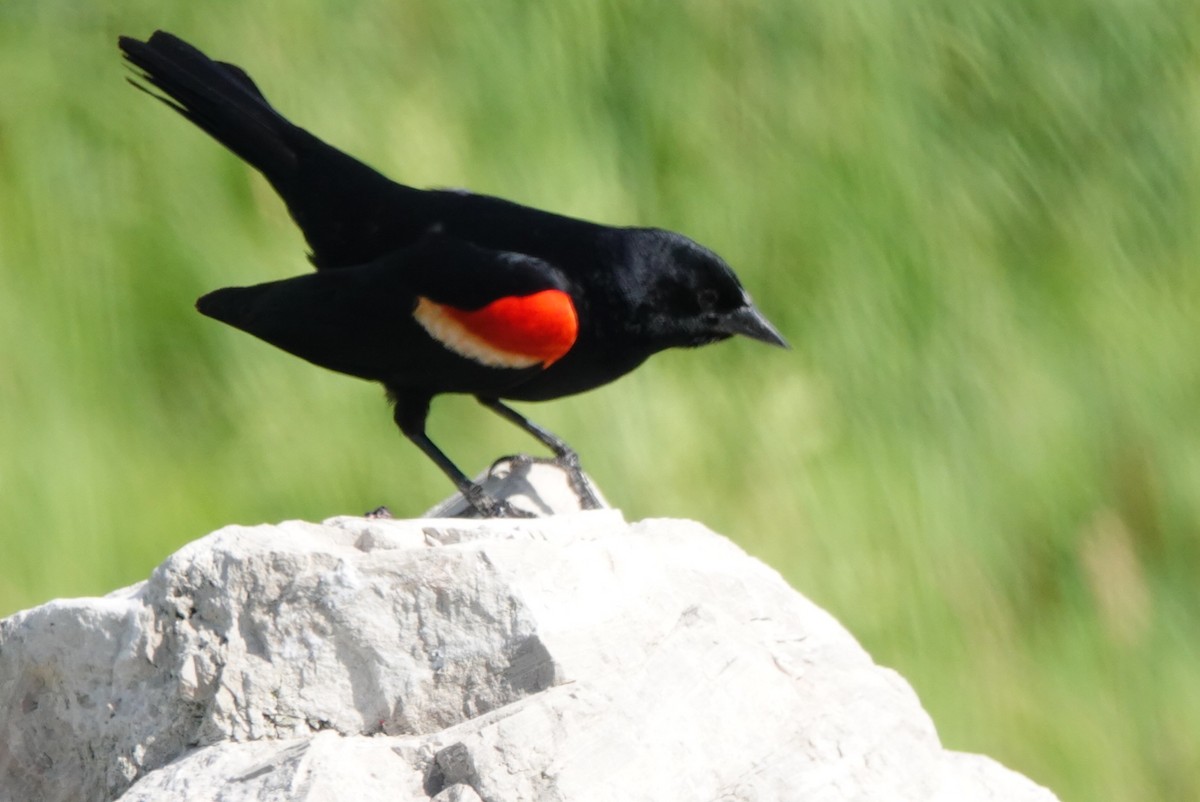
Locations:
(445, 314)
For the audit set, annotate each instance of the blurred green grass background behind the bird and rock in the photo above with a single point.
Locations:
(976, 220)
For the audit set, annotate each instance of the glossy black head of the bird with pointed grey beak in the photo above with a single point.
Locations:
(693, 298)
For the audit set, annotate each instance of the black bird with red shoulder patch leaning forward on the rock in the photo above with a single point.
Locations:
(443, 291)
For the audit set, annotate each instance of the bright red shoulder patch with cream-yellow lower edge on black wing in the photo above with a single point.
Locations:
(513, 332)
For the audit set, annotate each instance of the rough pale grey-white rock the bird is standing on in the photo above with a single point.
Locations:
(574, 657)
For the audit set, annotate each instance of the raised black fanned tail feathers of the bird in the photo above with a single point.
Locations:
(219, 98)
